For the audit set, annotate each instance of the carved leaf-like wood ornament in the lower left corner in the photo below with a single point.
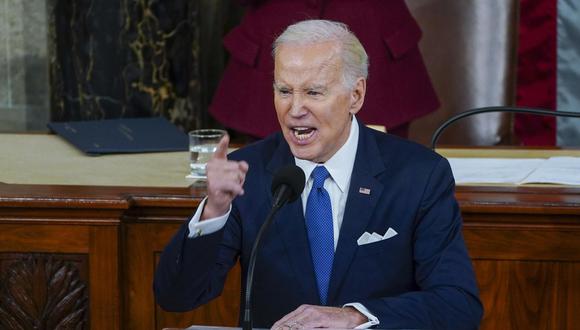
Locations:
(40, 292)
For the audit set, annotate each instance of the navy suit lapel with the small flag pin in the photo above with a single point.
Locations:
(359, 206)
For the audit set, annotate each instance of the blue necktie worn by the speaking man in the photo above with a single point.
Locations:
(320, 232)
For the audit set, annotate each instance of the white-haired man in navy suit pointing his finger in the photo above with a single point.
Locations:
(398, 259)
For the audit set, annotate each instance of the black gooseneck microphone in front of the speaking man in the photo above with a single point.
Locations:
(279, 200)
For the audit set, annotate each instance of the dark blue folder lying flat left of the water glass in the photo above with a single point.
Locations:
(114, 136)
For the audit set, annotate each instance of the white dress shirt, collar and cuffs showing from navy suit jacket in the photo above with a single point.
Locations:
(340, 167)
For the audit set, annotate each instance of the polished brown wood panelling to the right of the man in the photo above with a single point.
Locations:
(525, 247)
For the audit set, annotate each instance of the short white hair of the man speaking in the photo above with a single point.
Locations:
(352, 53)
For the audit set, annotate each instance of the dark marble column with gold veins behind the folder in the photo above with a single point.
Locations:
(125, 58)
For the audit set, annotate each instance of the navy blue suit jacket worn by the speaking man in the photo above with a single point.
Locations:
(420, 278)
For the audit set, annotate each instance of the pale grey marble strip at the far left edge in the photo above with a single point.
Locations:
(23, 66)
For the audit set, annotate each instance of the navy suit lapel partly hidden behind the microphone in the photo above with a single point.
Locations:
(290, 226)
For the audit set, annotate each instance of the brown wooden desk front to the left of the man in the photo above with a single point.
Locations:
(107, 240)
